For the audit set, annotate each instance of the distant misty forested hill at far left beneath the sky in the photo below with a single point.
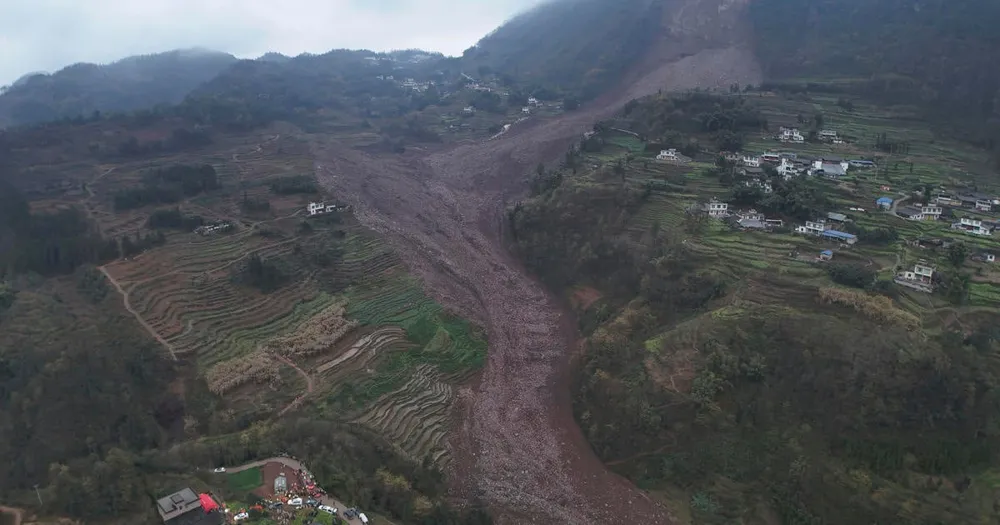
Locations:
(129, 84)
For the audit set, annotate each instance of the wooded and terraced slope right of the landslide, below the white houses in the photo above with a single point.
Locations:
(732, 380)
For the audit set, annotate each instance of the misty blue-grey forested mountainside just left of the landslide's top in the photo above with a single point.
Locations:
(577, 47)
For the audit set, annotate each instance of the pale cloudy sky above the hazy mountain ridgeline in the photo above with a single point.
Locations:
(46, 35)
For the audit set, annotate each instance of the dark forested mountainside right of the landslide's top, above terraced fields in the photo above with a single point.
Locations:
(939, 54)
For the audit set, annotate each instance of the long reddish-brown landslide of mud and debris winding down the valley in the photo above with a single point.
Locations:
(517, 445)
